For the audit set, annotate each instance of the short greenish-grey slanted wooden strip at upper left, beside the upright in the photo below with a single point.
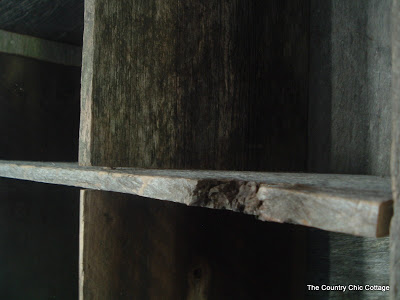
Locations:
(28, 46)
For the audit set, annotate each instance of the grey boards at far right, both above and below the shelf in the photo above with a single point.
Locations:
(349, 129)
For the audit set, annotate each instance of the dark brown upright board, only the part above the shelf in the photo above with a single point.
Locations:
(203, 85)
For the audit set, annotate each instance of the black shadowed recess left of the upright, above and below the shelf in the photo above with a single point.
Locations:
(39, 120)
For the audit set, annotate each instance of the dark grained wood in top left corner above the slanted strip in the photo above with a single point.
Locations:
(55, 20)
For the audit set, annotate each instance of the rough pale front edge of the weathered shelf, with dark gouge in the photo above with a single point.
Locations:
(284, 203)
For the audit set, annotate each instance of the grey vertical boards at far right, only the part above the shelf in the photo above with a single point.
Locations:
(350, 107)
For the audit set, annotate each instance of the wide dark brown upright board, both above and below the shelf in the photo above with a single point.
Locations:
(189, 84)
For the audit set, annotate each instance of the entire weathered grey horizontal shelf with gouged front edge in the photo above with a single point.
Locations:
(354, 204)
